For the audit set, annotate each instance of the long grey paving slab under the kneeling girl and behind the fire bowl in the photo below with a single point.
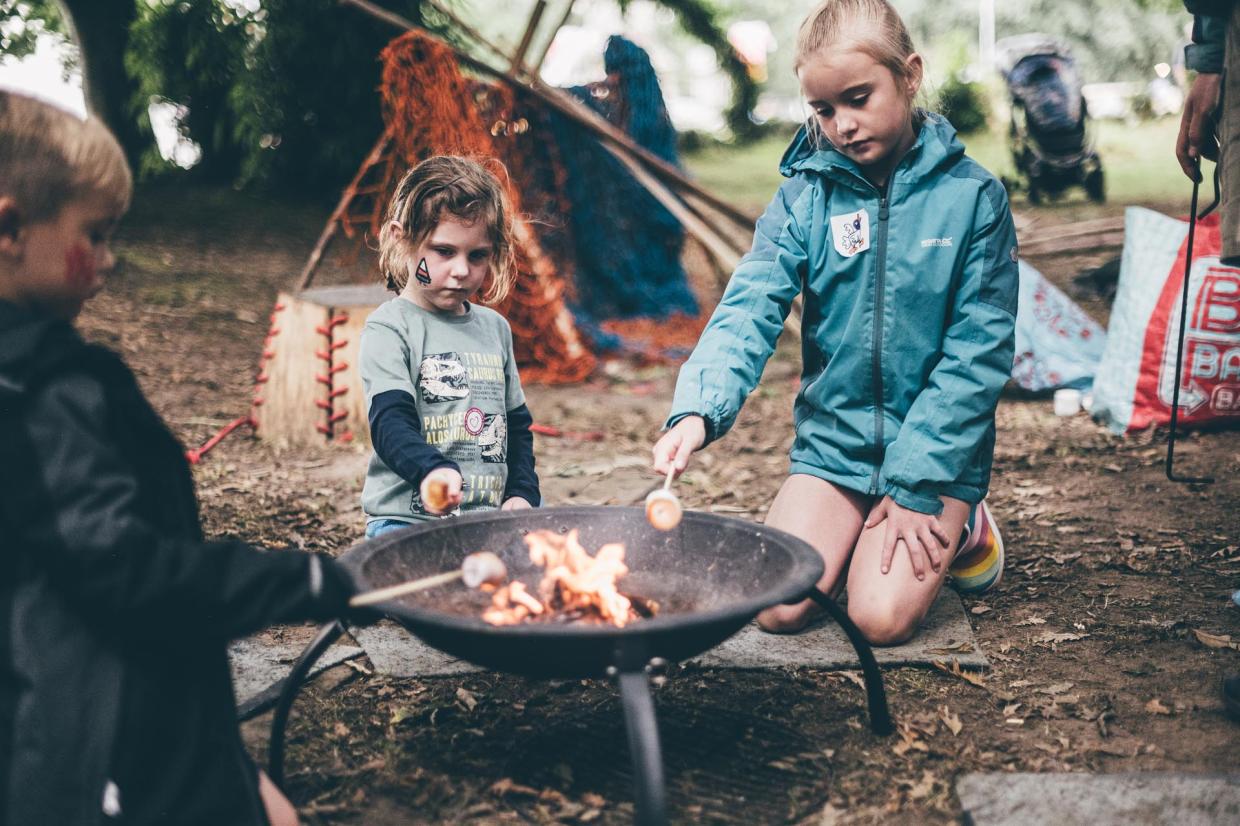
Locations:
(945, 636)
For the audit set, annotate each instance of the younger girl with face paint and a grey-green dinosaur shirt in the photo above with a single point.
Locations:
(448, 419)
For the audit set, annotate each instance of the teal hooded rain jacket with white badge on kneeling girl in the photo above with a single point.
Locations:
(907, 335)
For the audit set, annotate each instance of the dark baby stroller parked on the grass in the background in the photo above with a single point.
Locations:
(1050, 136)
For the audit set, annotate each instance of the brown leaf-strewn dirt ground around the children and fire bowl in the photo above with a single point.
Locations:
(1098, 668)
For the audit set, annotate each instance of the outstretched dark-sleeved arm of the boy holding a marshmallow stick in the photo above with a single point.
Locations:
(74, 498)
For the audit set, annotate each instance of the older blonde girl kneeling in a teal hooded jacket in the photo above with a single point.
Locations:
(906, 255)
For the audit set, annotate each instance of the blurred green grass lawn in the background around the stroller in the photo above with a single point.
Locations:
(1139, 162)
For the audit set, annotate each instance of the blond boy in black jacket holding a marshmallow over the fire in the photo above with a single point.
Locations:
(116, 700)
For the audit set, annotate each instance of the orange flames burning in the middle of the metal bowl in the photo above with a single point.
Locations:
(575, 586)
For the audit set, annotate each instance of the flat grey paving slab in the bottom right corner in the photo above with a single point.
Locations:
(1136, 799)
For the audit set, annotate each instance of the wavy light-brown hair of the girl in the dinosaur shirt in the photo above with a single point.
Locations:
(438, 188)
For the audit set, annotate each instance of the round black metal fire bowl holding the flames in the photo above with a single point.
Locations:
(711, 576)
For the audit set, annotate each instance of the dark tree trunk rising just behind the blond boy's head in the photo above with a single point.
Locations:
(101, 29)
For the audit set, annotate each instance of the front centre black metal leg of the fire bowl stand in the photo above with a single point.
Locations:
(648, 760)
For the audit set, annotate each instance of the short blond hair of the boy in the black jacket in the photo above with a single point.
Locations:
(50, 157)
